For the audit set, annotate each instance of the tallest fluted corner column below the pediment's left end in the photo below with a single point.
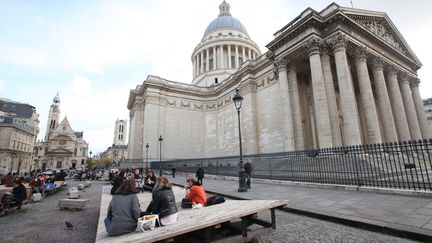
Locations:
(346, 92)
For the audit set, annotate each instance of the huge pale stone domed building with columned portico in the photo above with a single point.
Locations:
(338, 77)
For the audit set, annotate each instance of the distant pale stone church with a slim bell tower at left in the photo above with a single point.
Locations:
(63, 148)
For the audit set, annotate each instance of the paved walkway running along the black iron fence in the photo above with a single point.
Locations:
(401, 213)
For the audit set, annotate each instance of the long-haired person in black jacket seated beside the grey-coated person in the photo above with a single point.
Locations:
(163, 202)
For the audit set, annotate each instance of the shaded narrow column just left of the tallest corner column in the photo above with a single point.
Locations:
(331, 98)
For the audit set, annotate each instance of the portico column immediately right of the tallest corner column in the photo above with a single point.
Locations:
(367, 98)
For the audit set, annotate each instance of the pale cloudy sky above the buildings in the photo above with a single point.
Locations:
(93, 52)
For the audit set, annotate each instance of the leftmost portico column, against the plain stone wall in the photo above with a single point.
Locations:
(286, 121)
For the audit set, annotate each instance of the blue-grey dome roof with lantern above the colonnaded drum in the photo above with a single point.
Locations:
(225, 21)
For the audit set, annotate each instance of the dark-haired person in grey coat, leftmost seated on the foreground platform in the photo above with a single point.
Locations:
(123, 210)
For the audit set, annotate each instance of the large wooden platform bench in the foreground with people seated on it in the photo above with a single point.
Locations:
(191, 220)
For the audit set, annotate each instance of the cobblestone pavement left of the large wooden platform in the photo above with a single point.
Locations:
(44, 222)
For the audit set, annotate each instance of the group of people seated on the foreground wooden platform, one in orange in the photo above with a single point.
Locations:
(124, 209)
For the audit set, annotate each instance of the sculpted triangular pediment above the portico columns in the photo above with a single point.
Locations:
(380, 25)
